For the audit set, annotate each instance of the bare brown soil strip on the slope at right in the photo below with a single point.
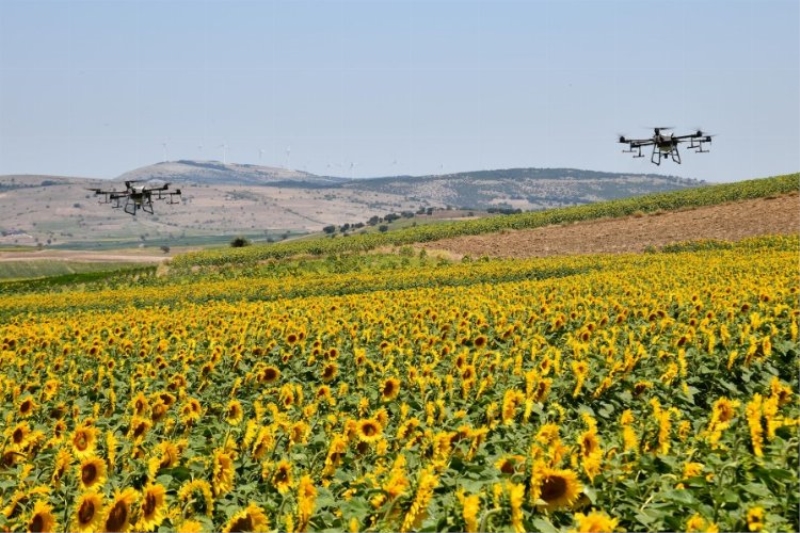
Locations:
(732, 221)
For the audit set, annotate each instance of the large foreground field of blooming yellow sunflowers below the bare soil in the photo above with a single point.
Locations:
(648, 392)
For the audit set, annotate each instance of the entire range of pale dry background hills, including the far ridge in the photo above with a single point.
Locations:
(220, 201)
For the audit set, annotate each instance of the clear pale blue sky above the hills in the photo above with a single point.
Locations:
(383, 87)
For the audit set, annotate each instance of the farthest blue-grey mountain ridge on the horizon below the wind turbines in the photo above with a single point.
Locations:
(522, 188)
